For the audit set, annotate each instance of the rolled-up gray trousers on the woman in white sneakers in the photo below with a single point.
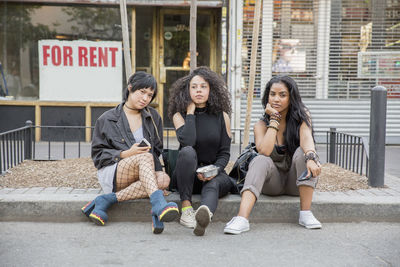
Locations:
(264, 177)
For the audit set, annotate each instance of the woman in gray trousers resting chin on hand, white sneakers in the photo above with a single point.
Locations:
(285, 143)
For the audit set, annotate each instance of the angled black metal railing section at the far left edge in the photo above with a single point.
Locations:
(15, 147)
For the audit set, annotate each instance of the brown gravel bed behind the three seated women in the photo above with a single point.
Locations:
(81, 173)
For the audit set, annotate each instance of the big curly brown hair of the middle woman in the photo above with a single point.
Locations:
(218, 99)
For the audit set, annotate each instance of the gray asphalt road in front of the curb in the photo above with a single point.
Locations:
(133, 244)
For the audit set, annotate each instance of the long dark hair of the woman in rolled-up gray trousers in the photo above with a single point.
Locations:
(296, 115)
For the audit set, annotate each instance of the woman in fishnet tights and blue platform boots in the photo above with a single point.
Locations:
(127, 169)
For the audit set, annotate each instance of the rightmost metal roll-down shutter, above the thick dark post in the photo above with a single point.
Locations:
(358, 25)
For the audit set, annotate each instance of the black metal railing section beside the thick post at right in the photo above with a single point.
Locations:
(347, 151)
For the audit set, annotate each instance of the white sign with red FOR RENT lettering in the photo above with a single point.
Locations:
(80, 71)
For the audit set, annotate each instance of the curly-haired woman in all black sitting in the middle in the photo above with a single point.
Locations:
(200, 108)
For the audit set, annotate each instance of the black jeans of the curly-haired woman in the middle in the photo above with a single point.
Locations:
(188, 183)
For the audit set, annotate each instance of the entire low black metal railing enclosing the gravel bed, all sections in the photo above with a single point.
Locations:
(347, 151)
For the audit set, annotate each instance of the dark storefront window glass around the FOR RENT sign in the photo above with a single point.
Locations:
(23, 25)
